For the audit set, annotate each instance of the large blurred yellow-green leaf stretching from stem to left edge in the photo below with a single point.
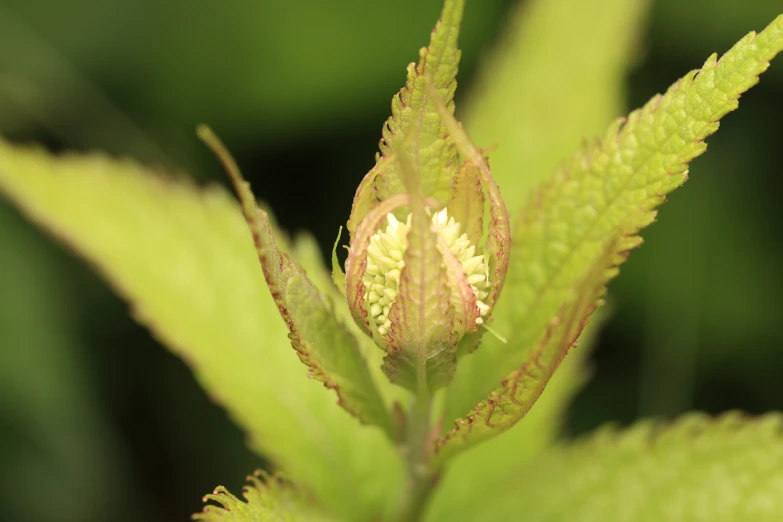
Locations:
(184, 259)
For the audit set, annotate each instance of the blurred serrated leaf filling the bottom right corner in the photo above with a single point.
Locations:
(726, 469)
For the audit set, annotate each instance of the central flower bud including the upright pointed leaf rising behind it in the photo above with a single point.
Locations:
(423, 268)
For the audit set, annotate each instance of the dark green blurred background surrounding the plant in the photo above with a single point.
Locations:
(98, 422)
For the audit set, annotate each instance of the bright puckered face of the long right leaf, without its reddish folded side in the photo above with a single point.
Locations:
(612, 184)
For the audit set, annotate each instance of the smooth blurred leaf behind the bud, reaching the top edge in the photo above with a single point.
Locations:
(551, 80)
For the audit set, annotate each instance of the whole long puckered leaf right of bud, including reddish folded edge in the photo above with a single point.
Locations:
(605, 193)
